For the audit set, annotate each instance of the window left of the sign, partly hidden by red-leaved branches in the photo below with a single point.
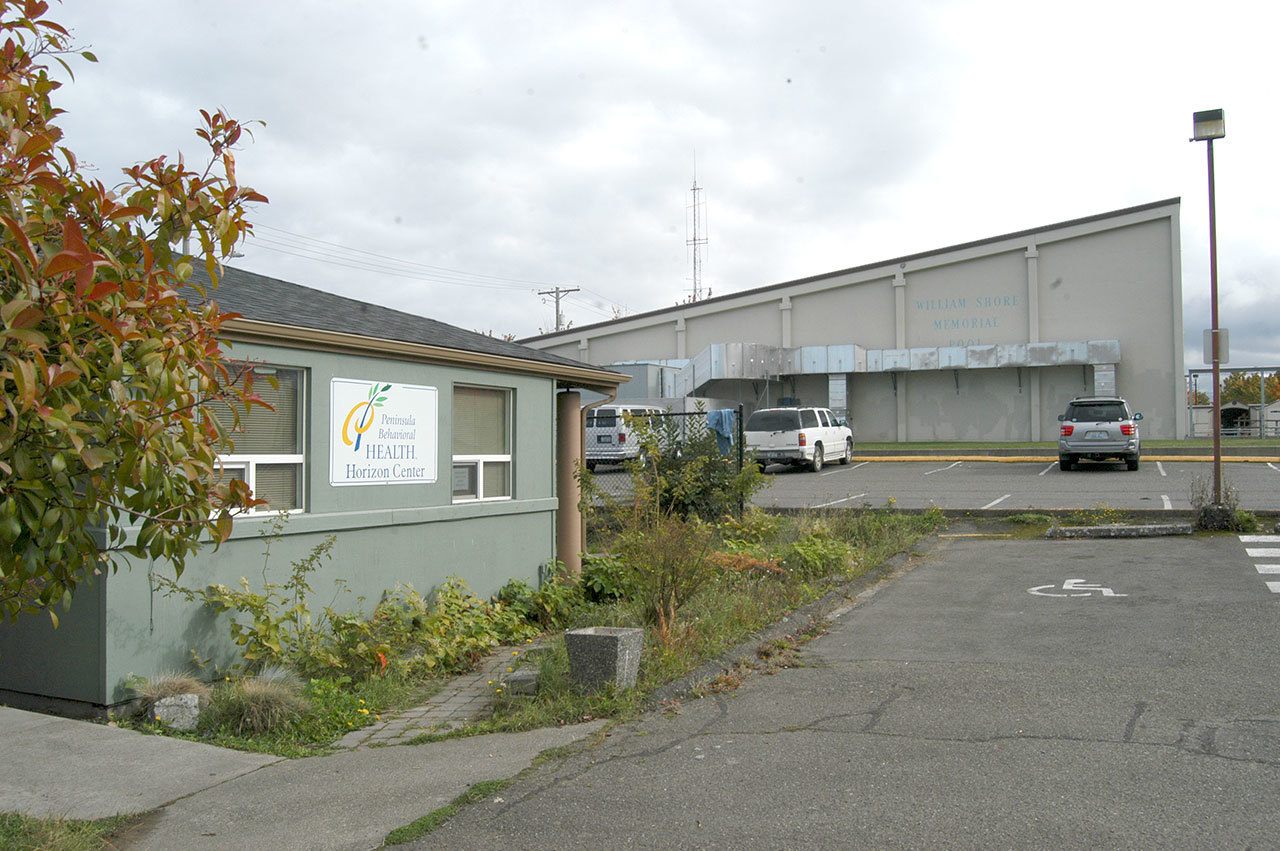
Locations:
(267, 449)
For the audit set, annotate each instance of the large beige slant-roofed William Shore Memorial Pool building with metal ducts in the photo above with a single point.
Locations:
(985, 341)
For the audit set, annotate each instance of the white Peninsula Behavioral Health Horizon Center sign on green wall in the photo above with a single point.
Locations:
(382, 433)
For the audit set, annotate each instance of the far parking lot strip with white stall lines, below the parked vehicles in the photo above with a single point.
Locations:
(967, 486)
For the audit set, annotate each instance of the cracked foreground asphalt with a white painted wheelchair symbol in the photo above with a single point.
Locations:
(1005, 693)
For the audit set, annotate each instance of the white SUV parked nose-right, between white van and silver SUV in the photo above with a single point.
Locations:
(798, 437)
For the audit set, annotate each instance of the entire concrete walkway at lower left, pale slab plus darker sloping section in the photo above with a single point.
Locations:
(200, 797)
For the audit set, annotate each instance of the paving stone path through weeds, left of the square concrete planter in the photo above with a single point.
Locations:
(463, 701)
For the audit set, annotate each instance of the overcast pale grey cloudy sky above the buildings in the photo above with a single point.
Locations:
(525, 145)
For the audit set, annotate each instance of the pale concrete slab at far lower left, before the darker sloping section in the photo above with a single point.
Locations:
(77, 770)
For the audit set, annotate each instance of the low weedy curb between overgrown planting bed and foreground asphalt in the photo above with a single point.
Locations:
(807, 617)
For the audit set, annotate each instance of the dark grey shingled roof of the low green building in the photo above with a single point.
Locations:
(271, 300)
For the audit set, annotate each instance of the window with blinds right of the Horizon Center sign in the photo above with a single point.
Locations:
(482, 443)
